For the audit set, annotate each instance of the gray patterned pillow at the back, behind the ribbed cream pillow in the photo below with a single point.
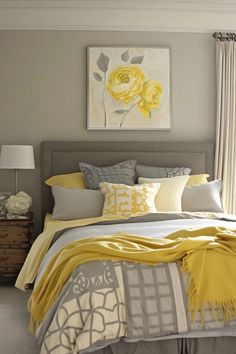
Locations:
(161, 172)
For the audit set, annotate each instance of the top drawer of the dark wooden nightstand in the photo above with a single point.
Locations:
(13, 234)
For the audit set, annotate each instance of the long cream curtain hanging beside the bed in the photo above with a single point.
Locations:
(225, 152)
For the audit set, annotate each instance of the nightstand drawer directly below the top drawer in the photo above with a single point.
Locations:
(12, 257)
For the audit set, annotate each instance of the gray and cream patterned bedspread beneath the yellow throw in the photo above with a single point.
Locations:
(108, 301)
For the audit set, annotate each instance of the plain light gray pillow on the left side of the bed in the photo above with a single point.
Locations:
(72, 204)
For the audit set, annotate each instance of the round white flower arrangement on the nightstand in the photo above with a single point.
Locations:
(19, 204)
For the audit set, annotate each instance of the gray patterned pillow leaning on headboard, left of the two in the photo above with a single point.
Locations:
(123, 172)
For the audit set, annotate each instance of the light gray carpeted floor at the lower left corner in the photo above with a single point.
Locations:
(14, 335)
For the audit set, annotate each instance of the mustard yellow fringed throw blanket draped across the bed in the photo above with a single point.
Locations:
(208, 254)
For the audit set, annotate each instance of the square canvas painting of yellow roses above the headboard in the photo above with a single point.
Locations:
(128, 88)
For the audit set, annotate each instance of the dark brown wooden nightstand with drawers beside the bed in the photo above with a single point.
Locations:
(15, 235)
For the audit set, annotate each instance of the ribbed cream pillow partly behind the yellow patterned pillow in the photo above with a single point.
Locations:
(169, 196)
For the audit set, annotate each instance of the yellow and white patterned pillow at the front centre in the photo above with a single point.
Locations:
(123, 200)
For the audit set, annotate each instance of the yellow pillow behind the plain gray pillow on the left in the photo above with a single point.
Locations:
(70, 180)
